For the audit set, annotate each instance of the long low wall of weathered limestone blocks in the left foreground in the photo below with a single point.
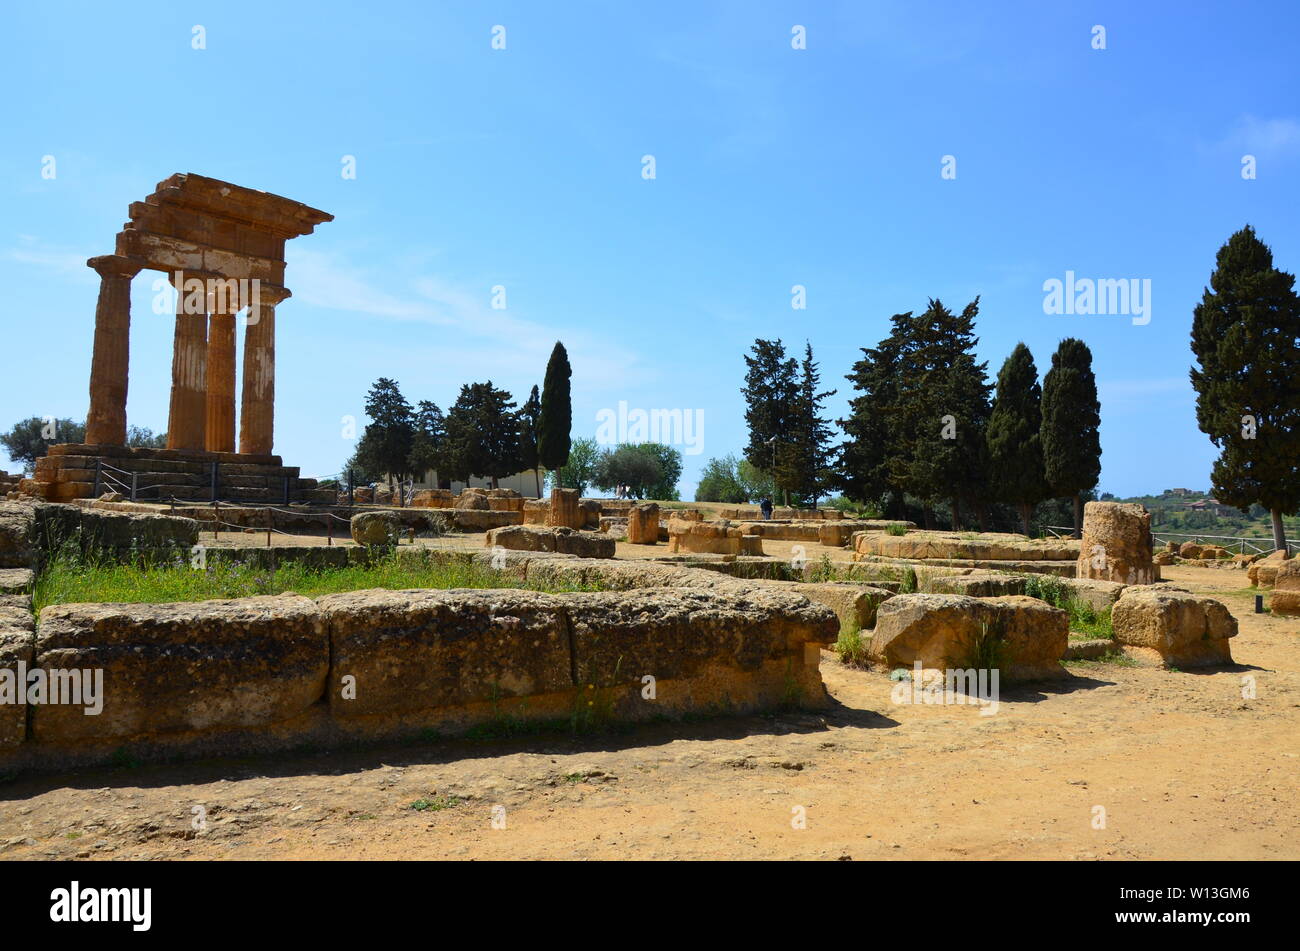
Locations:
(278, 672)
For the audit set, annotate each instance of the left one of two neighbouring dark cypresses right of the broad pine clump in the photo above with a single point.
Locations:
(1015, 441)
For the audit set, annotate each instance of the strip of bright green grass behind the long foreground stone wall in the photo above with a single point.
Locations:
(71, 579)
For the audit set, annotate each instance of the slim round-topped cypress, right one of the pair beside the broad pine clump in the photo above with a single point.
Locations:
(1072, 416)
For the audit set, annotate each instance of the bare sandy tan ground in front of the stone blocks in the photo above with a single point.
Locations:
(1182, 765)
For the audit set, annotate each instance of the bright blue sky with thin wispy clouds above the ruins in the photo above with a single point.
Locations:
(523, 168)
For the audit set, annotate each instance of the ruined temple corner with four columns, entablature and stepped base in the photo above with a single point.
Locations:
(223, 249)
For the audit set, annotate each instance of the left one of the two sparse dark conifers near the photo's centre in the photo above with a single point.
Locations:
(772, 394)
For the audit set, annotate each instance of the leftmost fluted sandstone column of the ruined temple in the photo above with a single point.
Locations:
(106, 423)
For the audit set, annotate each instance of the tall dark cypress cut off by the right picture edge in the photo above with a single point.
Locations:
(1246, 337)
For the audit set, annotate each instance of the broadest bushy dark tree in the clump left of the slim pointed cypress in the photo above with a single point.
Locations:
(483, 435)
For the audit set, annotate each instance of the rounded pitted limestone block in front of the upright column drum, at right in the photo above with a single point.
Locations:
(1160, 626)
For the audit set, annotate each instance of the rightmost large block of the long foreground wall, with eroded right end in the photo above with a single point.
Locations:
(704, 649)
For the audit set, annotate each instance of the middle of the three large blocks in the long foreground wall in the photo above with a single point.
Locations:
(415, 652)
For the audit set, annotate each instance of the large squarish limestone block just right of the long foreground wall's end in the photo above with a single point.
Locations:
(954, 632)
